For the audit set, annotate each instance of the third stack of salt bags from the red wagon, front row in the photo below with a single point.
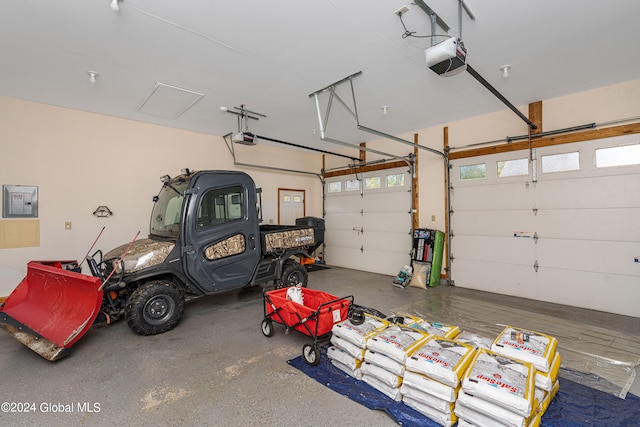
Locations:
(432, 377)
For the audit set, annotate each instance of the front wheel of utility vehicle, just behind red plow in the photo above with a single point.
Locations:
(154, 308)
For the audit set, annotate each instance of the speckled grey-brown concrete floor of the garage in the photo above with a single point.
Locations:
(217, 369)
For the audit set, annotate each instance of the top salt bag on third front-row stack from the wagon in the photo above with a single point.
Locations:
(442, 359)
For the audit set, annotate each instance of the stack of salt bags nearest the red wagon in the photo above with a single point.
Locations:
(350, 342)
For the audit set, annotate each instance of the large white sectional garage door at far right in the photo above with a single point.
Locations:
(567, 231)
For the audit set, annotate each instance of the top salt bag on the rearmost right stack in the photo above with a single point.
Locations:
(530, 346)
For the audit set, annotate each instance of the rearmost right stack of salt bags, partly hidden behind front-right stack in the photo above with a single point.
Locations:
(538, 349)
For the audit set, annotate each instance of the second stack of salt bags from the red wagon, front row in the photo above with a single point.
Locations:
(384, 359)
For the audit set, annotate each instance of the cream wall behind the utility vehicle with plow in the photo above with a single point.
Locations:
(81, 160)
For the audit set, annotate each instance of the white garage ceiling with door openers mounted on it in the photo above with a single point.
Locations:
(271, 55)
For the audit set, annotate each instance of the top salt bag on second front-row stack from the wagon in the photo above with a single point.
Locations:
(396, 341)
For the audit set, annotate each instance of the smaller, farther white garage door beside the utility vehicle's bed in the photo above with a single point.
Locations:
(368, 225)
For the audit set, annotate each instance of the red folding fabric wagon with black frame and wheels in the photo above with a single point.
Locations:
(315, 318)
